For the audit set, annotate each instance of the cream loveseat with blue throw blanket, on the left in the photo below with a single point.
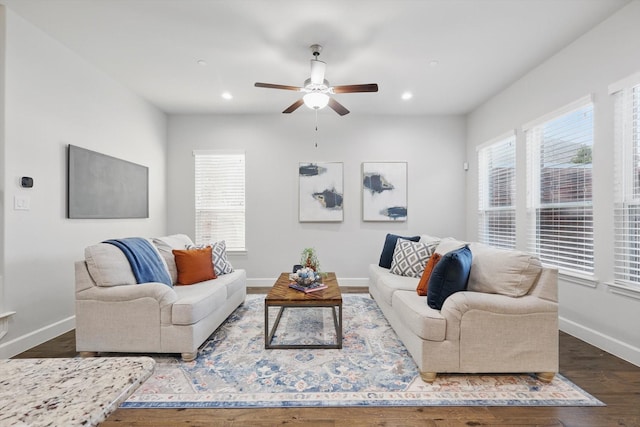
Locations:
(114, 314)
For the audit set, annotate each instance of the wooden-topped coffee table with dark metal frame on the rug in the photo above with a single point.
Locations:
(281, 295)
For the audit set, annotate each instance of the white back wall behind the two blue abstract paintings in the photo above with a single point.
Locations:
(276, 143)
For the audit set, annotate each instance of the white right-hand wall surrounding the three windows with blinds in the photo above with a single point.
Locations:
(604, 55)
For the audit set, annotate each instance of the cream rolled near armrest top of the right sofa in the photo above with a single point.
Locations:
(460, 303)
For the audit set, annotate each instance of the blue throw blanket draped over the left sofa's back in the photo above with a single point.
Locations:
(145, 262)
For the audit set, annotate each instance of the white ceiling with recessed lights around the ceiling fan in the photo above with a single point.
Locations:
(153, 47)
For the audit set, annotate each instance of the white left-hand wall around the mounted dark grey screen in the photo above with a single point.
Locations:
(54, 98)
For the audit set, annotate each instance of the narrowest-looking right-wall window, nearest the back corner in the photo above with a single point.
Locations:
(497, 192)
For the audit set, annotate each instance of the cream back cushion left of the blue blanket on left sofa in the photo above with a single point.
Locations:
(108, 266)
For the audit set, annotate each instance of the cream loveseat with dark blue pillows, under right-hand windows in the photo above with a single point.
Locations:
(506, 321)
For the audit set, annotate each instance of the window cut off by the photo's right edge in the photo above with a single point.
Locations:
(627, 183)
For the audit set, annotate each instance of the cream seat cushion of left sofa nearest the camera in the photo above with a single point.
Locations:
(197, 301)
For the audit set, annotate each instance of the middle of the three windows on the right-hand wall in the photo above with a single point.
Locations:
(560, 209)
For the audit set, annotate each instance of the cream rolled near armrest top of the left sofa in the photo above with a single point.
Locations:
(158, 291)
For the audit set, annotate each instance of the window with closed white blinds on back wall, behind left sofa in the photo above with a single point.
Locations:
(220, 201)
